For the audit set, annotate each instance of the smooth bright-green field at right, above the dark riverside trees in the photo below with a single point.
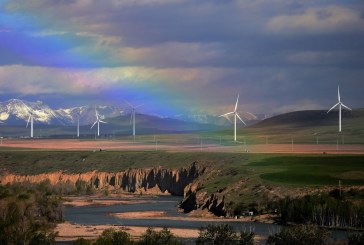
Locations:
(312, 170)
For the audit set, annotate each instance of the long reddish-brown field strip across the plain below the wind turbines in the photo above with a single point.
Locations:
(112, 145)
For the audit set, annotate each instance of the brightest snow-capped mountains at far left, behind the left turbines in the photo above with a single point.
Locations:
(17, 112)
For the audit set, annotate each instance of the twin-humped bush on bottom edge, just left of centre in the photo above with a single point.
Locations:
(163, 237)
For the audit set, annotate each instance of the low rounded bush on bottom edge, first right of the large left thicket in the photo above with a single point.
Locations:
(112, 237)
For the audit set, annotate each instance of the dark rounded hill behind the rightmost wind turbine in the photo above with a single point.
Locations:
(308, 127)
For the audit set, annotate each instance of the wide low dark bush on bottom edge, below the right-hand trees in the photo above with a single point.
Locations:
(299, 235)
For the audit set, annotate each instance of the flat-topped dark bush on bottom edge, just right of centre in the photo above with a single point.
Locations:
(222, 234)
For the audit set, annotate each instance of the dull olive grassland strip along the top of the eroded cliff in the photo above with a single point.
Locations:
(35, 162)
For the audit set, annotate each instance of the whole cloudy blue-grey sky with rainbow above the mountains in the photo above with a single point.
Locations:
(183, 56)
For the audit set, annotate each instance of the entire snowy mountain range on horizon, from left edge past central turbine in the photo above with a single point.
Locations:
(17, 112)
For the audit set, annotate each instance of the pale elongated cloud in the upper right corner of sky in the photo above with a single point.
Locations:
(320, 20)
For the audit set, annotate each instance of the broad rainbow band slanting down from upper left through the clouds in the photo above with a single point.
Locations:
(82, 64)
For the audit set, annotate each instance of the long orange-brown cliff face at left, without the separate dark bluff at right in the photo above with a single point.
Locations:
(131, 180)
